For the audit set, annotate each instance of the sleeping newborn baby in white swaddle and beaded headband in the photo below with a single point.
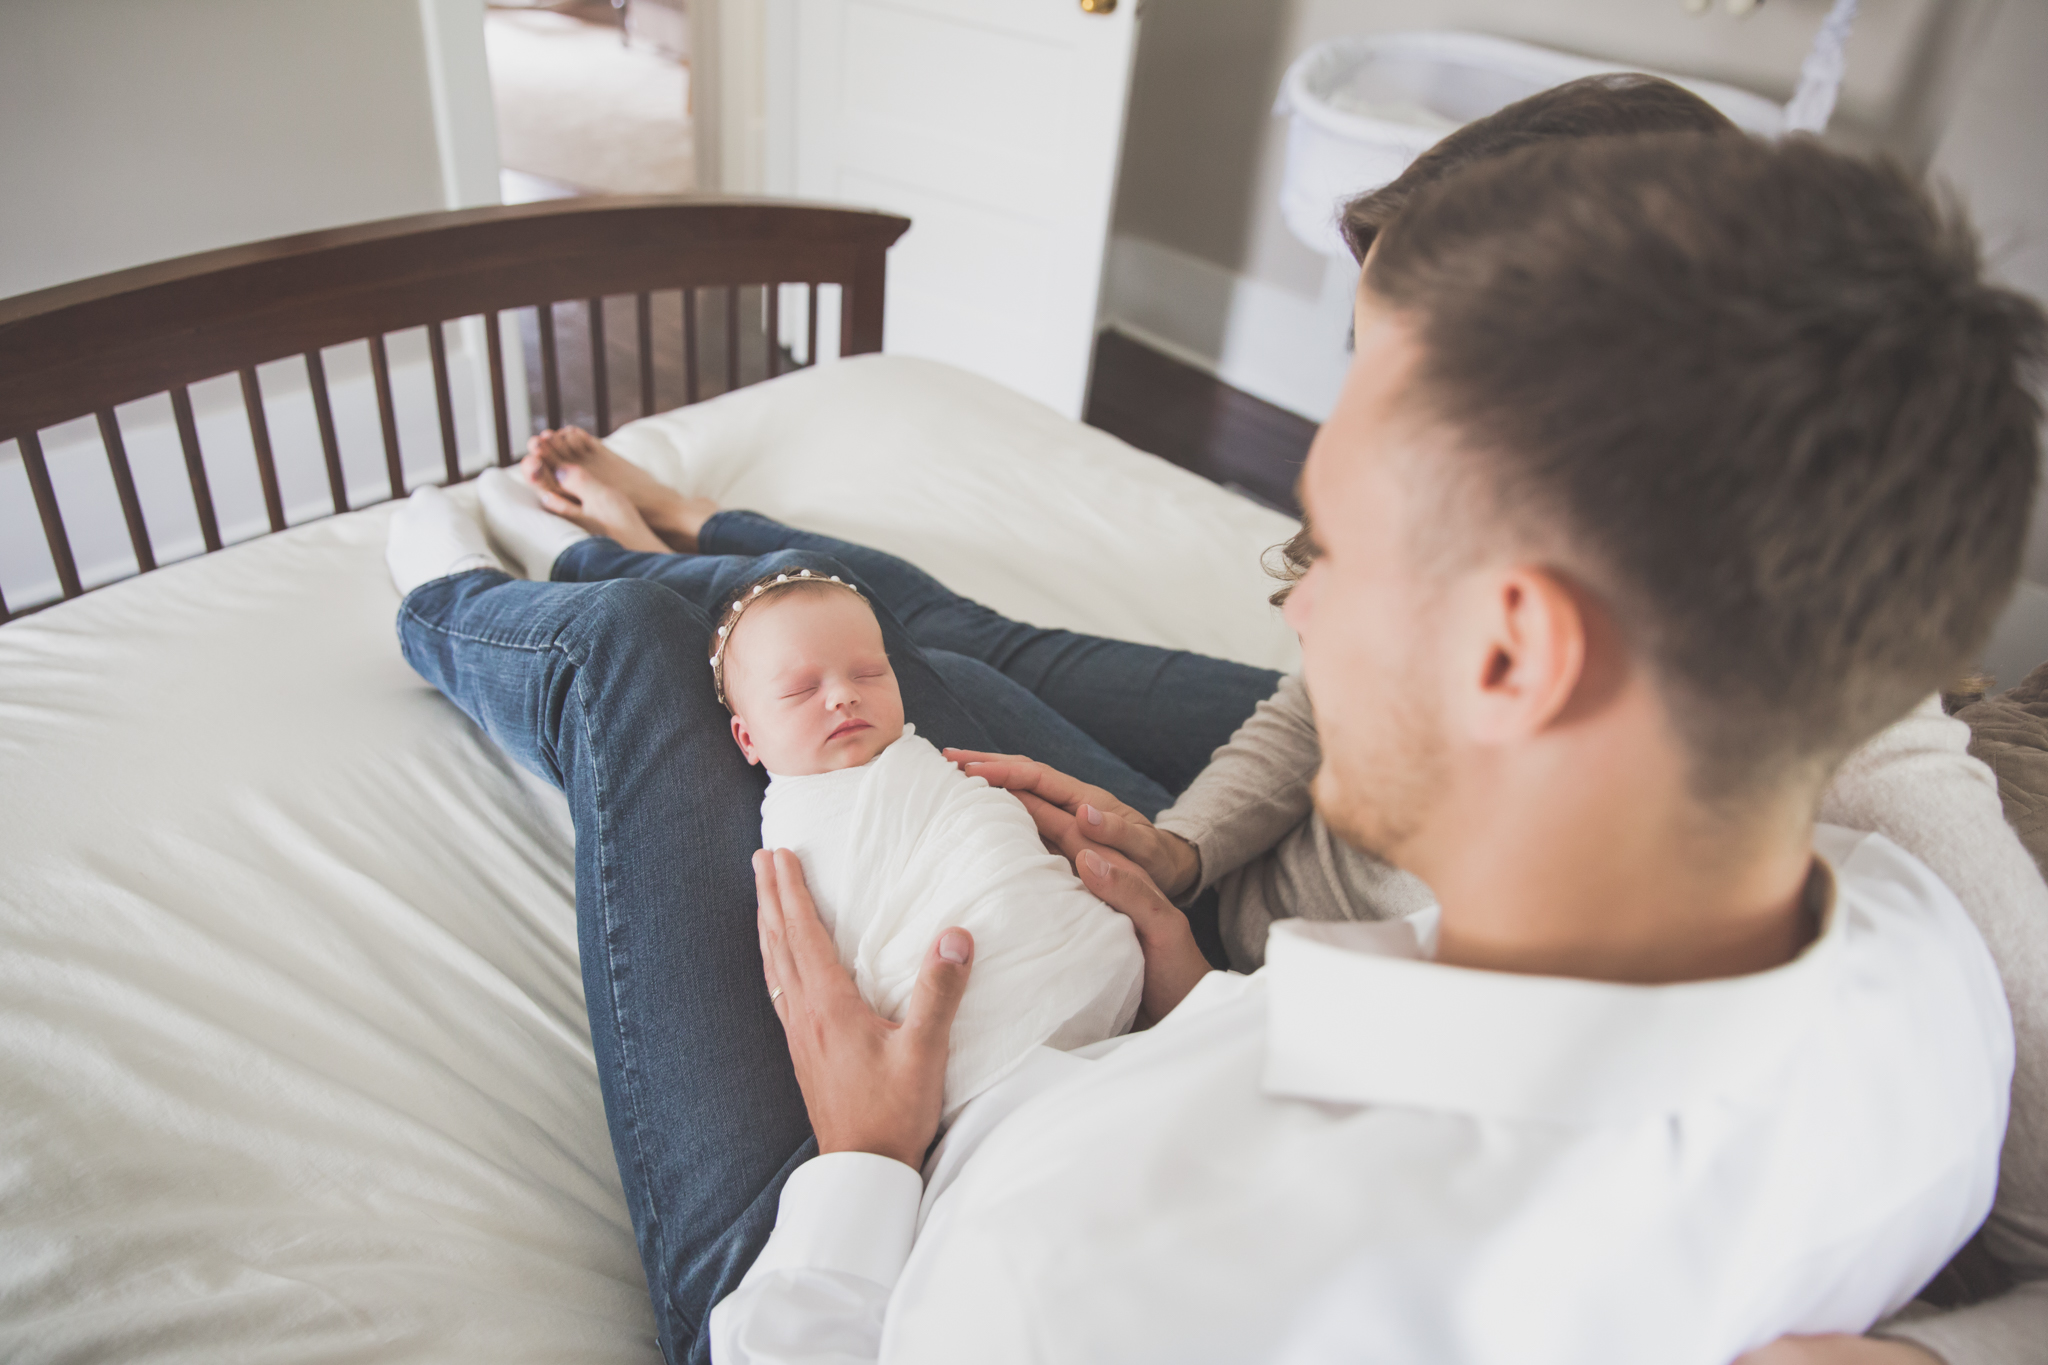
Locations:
(898, 844)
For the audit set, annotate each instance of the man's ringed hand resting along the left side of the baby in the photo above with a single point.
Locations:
(871, 1086)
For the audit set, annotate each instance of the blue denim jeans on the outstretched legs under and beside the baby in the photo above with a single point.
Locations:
(599, 682)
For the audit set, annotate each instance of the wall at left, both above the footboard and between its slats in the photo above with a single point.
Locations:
(144, 130)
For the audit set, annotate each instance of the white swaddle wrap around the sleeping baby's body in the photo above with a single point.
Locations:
(908, 846)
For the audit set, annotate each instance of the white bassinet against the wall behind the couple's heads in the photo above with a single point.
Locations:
(1363, 107)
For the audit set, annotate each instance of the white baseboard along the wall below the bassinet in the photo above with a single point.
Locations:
(1271, 343)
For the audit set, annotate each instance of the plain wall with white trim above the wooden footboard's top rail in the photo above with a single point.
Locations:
(138, 130)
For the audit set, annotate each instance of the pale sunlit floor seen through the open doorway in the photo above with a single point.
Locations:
(579, 107)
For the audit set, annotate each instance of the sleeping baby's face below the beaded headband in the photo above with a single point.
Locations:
(810, 685)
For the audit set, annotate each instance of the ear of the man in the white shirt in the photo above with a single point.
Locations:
(1535, 640)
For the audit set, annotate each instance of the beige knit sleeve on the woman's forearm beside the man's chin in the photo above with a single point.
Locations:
(1256, 787)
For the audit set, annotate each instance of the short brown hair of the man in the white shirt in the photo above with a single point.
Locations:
(1760, 394)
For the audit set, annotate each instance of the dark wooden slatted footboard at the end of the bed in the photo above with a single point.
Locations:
(79, 351)
